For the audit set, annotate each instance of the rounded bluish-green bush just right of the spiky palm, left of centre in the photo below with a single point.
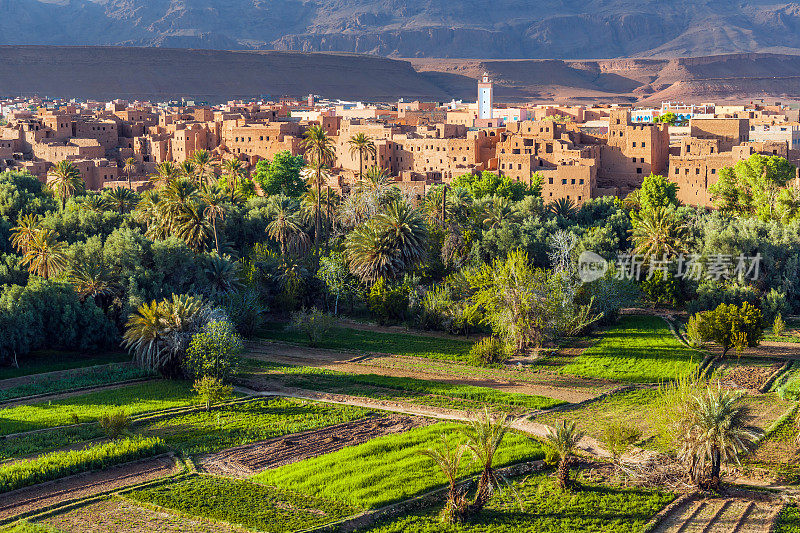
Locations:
(214, 351)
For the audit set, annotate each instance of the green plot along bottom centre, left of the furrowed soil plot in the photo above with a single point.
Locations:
(548, 509)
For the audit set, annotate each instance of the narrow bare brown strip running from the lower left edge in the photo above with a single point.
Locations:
(82, 485)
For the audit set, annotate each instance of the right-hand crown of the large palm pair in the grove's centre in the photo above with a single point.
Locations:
(403, 228)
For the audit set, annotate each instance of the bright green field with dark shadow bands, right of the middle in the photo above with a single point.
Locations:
(640, 349)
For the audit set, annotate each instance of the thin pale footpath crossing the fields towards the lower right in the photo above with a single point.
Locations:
(587, 444)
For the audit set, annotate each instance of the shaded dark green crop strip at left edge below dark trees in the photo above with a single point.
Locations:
(89, 377)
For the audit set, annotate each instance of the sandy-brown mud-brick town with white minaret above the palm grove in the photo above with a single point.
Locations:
(577, 152)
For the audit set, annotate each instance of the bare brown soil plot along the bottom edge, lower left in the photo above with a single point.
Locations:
(122, 516)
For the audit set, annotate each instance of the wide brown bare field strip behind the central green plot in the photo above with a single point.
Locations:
(542, 383)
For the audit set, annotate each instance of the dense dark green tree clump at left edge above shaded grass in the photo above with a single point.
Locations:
(49, 314)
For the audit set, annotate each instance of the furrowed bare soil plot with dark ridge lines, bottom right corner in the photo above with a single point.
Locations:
(735, 512)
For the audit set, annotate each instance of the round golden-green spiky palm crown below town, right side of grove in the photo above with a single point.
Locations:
(658, 232)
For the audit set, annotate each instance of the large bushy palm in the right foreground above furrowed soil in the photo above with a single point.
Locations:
(716, 431)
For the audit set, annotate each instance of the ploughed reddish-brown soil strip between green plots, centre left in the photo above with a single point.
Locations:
(244, 461)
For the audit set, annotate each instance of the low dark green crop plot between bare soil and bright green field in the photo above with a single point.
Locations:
(241, 502)
